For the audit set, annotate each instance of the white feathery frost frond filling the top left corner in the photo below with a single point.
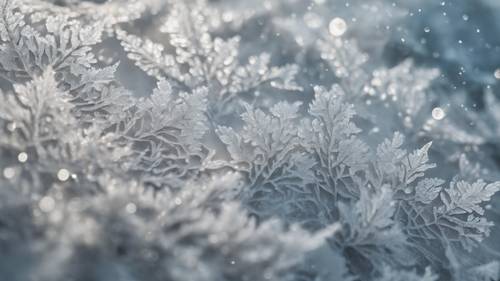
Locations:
(64, 45)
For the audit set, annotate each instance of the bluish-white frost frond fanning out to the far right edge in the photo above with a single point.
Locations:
(455, 217)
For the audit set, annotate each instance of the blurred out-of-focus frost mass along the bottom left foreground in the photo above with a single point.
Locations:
(129, 232)
